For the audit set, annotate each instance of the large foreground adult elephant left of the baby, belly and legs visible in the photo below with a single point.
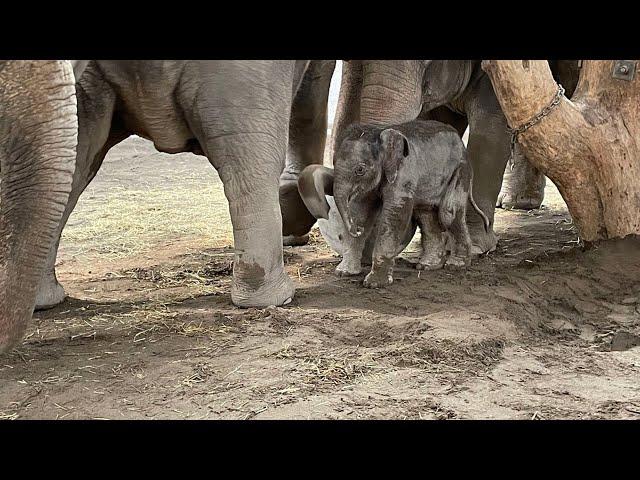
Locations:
(237, 114)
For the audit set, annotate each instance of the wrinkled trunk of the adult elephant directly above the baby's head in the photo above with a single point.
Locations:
(391, 92)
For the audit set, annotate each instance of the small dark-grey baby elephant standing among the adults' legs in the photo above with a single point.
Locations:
(390, 176)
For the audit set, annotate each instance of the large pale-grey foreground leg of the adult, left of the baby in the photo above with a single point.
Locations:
(246, 141)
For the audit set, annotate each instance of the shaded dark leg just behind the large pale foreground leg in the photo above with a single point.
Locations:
(307, 137)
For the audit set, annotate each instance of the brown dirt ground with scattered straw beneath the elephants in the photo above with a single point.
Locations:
(539, 329)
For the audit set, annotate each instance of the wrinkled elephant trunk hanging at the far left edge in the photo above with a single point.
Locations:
(38, 140)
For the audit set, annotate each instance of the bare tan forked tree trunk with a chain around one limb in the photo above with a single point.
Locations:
(589, 145)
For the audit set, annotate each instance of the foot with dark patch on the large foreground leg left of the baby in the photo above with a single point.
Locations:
(251, 288)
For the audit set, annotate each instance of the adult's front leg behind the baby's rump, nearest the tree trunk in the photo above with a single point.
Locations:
(488, 152)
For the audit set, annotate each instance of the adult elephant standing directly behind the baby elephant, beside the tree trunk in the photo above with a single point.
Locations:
(457, 92)
